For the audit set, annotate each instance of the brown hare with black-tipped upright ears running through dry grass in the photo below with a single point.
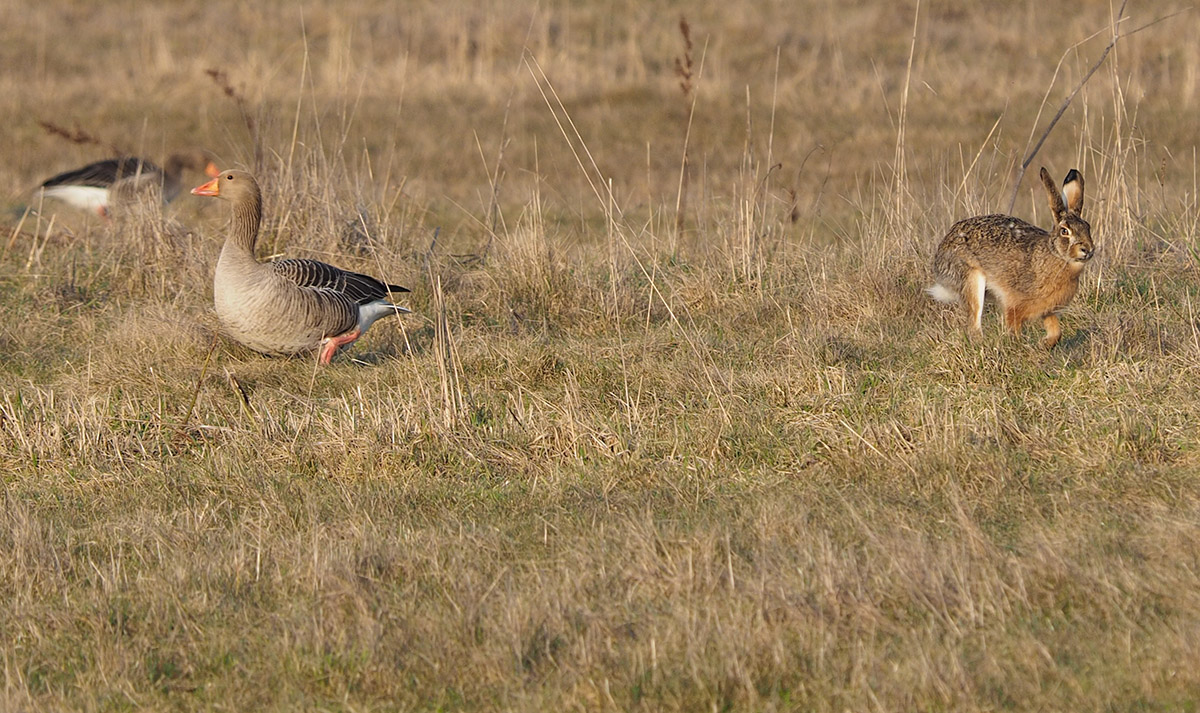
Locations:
(1031, 273)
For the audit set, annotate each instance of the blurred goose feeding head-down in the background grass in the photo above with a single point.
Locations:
(104, 184)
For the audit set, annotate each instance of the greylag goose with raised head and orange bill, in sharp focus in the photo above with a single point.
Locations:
(292, 305)
